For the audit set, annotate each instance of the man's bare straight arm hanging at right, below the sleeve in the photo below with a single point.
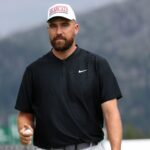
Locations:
(113, 123)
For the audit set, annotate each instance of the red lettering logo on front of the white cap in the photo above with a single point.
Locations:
(58, 9)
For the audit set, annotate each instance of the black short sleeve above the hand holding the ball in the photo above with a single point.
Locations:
(24, 98)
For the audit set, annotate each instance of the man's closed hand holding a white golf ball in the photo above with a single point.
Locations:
(26, 134)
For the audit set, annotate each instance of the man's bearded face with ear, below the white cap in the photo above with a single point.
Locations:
(62, 33)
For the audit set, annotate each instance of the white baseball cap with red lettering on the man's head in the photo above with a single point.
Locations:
(61, 10)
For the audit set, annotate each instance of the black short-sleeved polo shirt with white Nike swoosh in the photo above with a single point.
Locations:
(65, 97)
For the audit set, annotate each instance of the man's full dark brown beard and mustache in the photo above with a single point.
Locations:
(61, 44)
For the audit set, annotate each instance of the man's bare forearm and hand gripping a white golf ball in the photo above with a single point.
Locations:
(25, 121)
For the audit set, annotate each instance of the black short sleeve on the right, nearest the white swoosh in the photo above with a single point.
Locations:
(109, 88)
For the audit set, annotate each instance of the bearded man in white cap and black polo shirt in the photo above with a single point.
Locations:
(65, 94)
